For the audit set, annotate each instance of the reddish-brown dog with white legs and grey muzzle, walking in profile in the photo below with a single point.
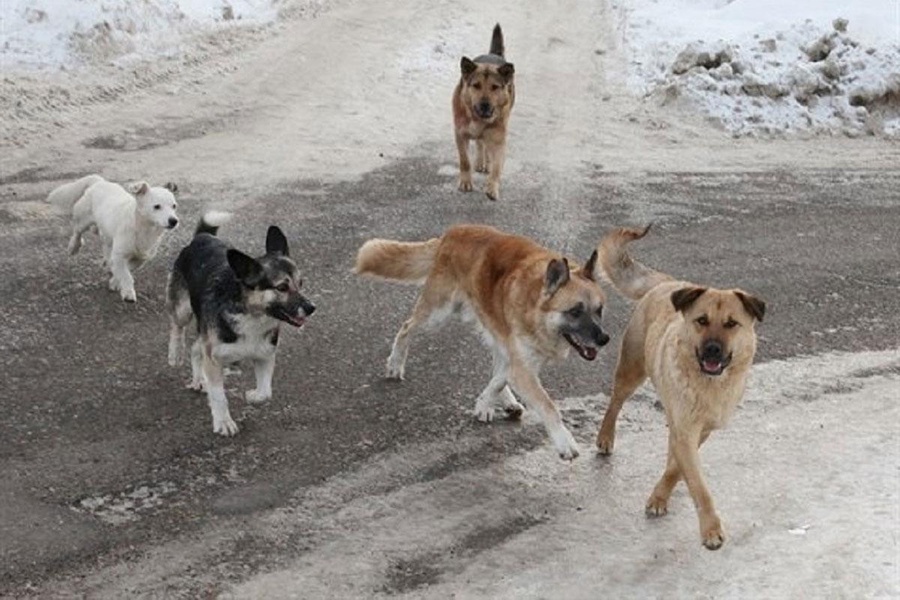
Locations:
(531, 304)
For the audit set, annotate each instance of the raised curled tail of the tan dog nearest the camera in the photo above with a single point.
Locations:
(630, 277)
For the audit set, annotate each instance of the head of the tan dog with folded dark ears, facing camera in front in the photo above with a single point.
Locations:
(719, 326)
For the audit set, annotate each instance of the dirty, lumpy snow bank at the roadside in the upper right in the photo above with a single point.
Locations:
(767, 73)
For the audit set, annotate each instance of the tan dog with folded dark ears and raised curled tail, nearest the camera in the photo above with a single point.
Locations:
(696, 344)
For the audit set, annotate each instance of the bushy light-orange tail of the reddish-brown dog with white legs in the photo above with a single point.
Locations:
(399, 261)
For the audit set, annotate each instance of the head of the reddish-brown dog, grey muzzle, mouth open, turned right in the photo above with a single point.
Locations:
(573, 305)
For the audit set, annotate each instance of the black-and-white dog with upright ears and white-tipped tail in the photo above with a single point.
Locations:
(238, 303)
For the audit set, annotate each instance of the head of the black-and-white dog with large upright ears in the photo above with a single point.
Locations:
(272, 282)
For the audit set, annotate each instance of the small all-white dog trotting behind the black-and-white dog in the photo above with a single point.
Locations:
(130, 222)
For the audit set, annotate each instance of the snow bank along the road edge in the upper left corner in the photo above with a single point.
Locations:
(54, 33)
